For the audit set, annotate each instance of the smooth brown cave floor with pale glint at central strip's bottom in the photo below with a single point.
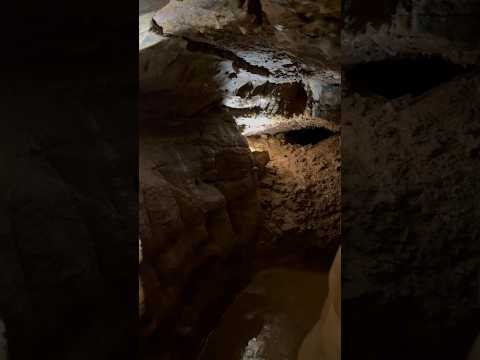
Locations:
(270, 318)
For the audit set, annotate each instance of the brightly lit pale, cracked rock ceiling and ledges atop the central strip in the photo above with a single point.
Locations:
(264, 75)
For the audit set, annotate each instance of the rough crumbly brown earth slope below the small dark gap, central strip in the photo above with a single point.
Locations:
(300, 191)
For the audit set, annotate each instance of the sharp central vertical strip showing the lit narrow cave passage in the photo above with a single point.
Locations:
(232, 202)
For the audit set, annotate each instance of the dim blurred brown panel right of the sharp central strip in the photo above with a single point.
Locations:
(410, 189)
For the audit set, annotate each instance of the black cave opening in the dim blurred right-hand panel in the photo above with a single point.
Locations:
(396, 77)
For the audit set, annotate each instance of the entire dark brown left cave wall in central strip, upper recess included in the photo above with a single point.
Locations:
(199, 213)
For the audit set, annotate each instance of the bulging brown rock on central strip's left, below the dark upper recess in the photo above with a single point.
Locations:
(199, 214)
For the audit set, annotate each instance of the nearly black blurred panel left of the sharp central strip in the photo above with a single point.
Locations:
(68, 165)
